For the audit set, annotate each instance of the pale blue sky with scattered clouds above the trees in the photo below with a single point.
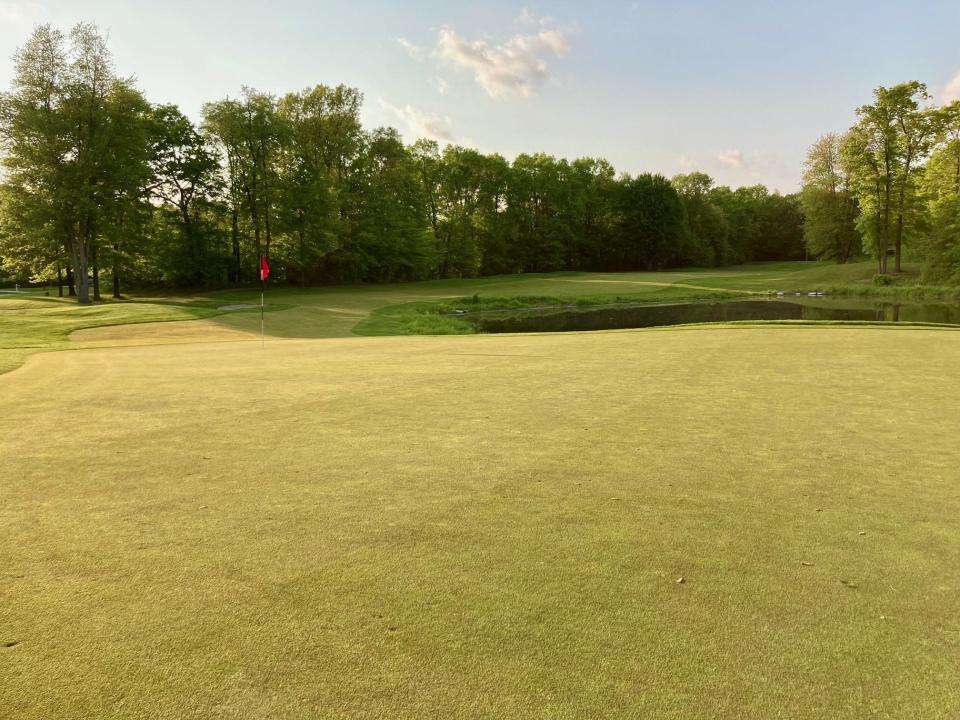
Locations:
(735, 89)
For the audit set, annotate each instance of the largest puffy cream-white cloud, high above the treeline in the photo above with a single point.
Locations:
(516, 67)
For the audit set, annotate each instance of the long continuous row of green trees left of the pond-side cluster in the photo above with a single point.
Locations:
(99, 179)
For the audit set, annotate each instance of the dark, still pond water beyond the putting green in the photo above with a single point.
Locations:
(611, 317)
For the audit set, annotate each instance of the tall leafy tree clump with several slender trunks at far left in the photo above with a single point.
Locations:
(76, 148)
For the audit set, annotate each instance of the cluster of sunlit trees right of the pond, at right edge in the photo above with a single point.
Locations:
(890, 183)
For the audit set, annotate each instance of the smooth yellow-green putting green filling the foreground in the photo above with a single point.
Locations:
(485, 526)
